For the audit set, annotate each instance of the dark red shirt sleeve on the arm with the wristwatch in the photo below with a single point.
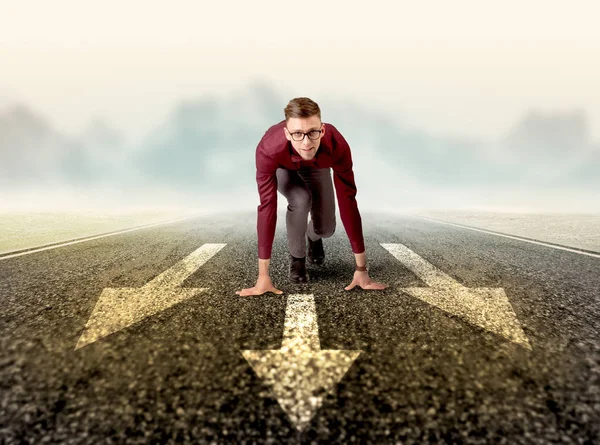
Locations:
(345, 188)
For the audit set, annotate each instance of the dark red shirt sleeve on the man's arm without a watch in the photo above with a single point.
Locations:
(266, 180)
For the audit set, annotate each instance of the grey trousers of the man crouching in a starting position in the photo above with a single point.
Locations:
(308, 189)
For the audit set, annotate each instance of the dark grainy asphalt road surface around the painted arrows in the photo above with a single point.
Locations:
(425, 375)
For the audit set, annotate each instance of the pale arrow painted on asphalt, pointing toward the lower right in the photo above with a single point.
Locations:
(488, 308)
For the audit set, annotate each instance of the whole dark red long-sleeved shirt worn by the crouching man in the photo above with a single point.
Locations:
(275, 151)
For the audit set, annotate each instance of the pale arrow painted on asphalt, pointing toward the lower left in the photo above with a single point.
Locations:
(119, 308)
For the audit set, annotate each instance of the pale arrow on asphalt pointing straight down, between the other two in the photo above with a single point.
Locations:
(300, 374)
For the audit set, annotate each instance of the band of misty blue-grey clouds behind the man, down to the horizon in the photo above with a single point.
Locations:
(202, 156)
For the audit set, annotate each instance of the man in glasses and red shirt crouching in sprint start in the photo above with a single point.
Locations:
(295, 157)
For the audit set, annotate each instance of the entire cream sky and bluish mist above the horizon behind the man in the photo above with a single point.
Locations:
(445, 105)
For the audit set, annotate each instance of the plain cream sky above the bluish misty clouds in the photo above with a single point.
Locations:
(467, 68)
